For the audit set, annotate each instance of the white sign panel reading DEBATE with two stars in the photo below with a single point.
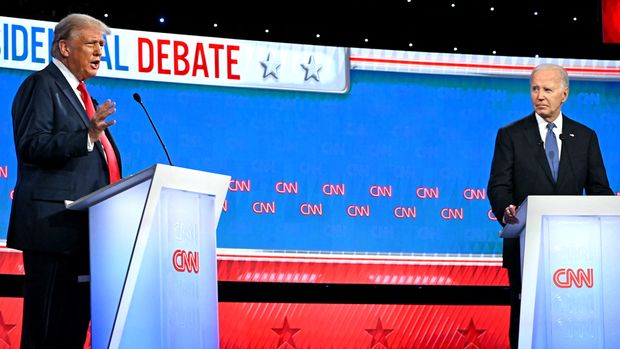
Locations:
(148, 56)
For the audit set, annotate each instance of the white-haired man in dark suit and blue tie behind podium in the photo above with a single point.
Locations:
(545, 153)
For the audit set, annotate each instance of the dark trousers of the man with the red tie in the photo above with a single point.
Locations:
(56, 305)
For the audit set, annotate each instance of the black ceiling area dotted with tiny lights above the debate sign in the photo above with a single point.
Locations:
(556, 29)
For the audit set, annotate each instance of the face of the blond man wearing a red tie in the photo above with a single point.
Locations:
(82, 52)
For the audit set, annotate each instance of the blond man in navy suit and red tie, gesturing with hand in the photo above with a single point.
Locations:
(64, 151)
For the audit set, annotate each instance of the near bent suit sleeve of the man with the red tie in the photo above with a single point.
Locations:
(44, 132)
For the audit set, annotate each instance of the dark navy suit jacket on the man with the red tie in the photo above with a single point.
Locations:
(50, 129)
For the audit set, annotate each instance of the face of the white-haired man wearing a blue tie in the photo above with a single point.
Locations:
(547, 93)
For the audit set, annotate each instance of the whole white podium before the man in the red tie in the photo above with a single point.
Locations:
(153, 259)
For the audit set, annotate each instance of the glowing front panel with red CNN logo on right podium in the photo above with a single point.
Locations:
(574, 299)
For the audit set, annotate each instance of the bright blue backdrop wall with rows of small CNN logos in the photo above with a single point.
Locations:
(398, 164)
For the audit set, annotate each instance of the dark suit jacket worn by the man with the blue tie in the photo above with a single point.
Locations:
(520, 169)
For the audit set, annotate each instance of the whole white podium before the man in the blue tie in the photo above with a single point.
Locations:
(570, 256)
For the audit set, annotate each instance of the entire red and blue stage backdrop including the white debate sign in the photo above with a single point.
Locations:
(349, 166)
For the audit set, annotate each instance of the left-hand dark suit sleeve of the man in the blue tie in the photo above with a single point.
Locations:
(500, 188)
